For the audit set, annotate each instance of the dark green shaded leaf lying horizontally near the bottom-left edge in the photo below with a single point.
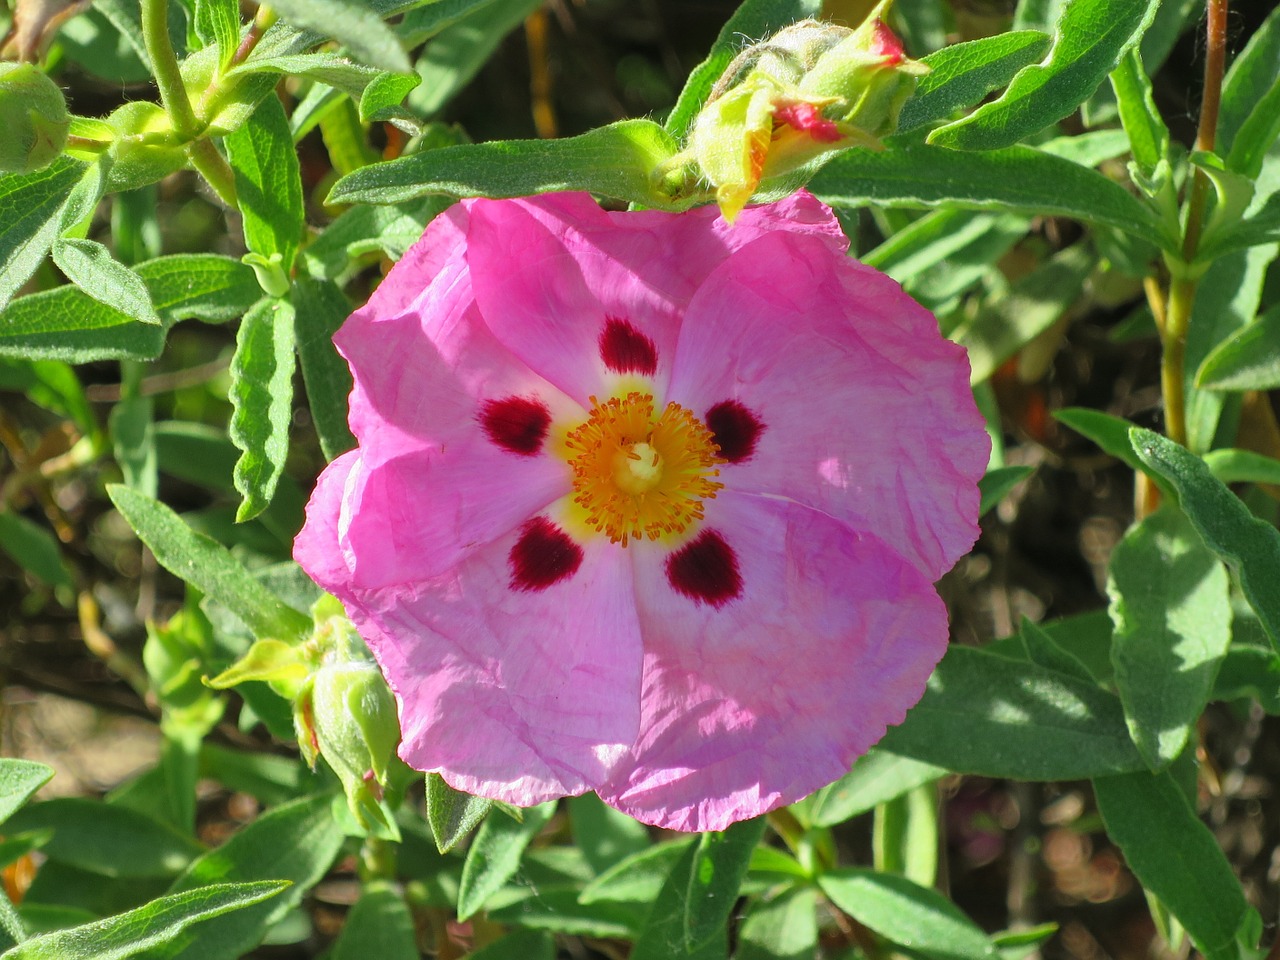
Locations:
(108, 840)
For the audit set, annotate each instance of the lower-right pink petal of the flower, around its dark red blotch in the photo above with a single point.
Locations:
(760, 702)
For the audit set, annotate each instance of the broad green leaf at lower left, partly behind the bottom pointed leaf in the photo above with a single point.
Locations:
(295, 843)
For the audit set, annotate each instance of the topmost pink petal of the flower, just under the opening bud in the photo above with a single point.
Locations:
(552, 272)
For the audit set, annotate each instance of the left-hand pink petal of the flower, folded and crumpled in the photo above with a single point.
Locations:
(432, 484)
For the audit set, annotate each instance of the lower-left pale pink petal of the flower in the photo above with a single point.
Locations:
(520, 696)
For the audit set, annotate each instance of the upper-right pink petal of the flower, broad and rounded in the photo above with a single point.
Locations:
(867, 412)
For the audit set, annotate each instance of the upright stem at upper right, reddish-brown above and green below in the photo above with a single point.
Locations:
(1182, 290)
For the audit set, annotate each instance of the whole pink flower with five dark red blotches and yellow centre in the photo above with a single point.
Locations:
(646, 504)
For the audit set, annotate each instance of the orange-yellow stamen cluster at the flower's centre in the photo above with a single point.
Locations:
(638, 476)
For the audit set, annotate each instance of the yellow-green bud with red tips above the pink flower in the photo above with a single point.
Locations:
(789, 103)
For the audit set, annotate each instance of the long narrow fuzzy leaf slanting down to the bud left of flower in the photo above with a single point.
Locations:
(208, 566)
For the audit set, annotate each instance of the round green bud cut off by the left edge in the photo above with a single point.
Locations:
(34, 117)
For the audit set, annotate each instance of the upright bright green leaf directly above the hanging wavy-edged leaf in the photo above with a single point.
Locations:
(268, 184)
